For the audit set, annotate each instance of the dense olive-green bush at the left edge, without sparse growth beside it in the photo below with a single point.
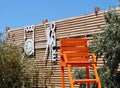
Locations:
(12, 66)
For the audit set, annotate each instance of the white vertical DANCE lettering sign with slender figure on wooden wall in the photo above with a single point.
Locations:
(51, 41)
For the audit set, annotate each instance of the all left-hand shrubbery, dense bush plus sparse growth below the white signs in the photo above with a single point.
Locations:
(17, 71)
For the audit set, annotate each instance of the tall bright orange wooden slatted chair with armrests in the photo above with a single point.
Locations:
(74, 52)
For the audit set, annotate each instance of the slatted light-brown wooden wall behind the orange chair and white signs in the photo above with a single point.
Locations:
(76, 27)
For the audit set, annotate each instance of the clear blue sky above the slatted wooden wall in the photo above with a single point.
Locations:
(20, 13)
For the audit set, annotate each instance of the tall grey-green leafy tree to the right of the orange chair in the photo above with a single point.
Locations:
(107, 43)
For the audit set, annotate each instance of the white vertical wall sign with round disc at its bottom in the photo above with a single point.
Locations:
(29, 43)
